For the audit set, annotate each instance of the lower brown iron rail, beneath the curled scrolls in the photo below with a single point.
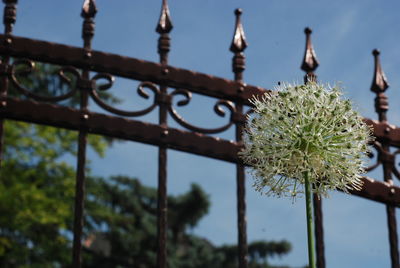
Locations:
(127, 129)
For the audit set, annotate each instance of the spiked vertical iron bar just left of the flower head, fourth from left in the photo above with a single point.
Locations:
(238, 45)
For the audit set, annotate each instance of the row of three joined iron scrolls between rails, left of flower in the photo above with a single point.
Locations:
(103, 81)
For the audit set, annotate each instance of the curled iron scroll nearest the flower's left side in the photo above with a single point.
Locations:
(218, 108)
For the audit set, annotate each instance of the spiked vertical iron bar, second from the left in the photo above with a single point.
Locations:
(88, 13)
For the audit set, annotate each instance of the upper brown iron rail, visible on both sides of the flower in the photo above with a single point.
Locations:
(36, 50)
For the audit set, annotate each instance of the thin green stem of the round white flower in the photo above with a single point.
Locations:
(310, 222)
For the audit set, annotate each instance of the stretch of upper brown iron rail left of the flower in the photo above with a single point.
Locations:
(128, 67)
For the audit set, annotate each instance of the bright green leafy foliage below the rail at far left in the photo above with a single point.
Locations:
(37, 190)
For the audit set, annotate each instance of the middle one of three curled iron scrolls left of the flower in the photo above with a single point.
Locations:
(140, 90)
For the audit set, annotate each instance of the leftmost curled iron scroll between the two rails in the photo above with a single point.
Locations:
(26, 67)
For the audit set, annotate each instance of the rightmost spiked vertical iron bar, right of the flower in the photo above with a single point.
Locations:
(379, 86)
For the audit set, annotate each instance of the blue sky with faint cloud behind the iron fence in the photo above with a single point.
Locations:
(345, 32)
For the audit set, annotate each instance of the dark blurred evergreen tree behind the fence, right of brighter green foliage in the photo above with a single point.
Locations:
(127, 212)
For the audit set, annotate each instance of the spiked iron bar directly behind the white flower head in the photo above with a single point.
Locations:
(309, 65)
